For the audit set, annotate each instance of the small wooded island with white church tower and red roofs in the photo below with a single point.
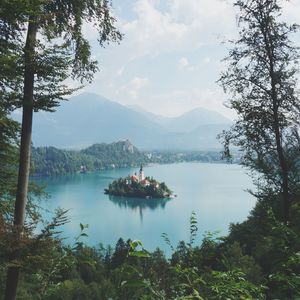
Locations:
(138, 186)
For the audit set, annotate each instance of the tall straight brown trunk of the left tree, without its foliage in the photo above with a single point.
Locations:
(24, 163)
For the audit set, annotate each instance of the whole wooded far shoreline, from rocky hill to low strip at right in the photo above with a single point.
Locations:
(47, 161)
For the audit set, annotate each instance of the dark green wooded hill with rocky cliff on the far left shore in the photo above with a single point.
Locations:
(52, 161)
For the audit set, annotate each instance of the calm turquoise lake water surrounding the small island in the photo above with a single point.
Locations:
(216, 192)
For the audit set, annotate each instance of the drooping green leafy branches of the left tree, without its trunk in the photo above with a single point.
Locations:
(60, 52)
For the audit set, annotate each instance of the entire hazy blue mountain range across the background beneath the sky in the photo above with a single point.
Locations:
(89, 118)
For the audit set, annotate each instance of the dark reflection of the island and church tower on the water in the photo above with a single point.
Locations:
(139, 204)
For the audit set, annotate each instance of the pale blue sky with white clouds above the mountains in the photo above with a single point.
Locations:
(171, 54)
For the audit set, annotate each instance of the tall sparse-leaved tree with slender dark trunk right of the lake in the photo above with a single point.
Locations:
(261, 81)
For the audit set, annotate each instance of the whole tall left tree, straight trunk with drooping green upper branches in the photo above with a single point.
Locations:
(42, 45)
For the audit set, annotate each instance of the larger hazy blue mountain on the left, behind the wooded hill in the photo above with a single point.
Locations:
(87, 119)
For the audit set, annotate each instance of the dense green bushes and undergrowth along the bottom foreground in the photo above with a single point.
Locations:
(217, 268)
